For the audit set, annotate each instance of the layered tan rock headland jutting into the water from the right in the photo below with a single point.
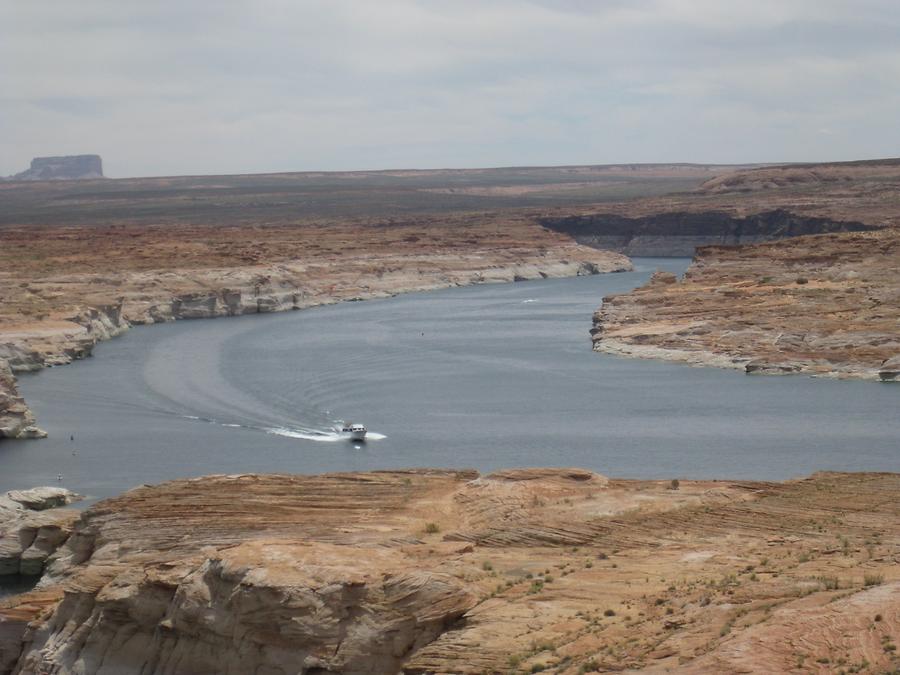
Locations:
(825, 305)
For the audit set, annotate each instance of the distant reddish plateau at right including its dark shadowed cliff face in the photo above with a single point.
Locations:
(743, 207)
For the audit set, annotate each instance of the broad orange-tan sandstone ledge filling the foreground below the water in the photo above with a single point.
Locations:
(447, 571)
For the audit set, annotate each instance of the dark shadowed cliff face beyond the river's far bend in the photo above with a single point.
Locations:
(680, 233)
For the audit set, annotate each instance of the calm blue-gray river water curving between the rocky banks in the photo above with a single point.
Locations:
(485, 377)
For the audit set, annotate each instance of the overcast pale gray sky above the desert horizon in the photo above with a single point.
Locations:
(161, 87)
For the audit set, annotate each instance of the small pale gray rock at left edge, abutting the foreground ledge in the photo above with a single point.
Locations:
(32, 527)
